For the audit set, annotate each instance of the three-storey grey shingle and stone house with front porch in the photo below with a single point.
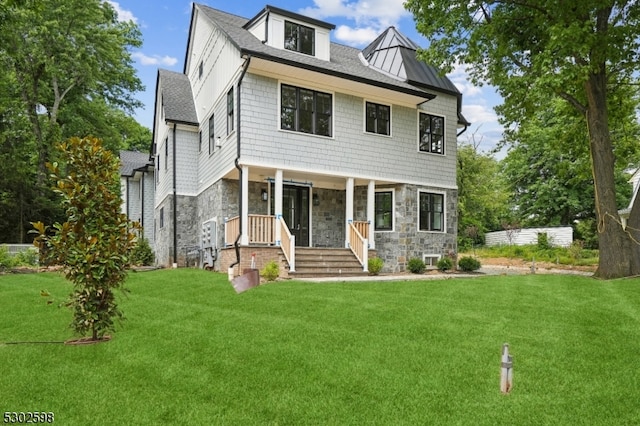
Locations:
(275, 140)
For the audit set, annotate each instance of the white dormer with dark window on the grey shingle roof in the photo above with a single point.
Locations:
(286, 30)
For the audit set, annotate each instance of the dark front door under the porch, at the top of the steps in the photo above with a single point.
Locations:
(295, 212)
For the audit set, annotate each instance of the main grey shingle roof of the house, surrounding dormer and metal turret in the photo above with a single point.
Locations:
(345, 61)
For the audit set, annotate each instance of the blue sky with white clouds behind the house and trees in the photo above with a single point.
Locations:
(165, 25)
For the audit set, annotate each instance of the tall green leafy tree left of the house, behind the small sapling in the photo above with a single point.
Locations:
(67, 71)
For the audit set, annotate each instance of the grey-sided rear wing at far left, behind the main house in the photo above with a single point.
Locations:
(137, 186)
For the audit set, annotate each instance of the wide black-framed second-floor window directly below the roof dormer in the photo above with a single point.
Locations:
(305, 110)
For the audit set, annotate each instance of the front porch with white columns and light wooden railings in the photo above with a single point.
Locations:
(299, 210)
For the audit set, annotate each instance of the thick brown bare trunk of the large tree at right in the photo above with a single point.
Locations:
(619, 255)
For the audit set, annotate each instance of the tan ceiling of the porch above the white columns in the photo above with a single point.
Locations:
(315, 179)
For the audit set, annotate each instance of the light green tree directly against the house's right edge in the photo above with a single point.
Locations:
(482, 195)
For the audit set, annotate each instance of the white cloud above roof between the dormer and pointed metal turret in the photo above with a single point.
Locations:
(370, 17)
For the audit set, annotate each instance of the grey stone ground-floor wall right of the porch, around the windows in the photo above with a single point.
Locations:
(405, 241)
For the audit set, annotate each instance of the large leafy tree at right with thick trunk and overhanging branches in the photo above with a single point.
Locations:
(535, 48)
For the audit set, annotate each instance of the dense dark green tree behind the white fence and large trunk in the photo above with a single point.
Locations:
(548, 170)
